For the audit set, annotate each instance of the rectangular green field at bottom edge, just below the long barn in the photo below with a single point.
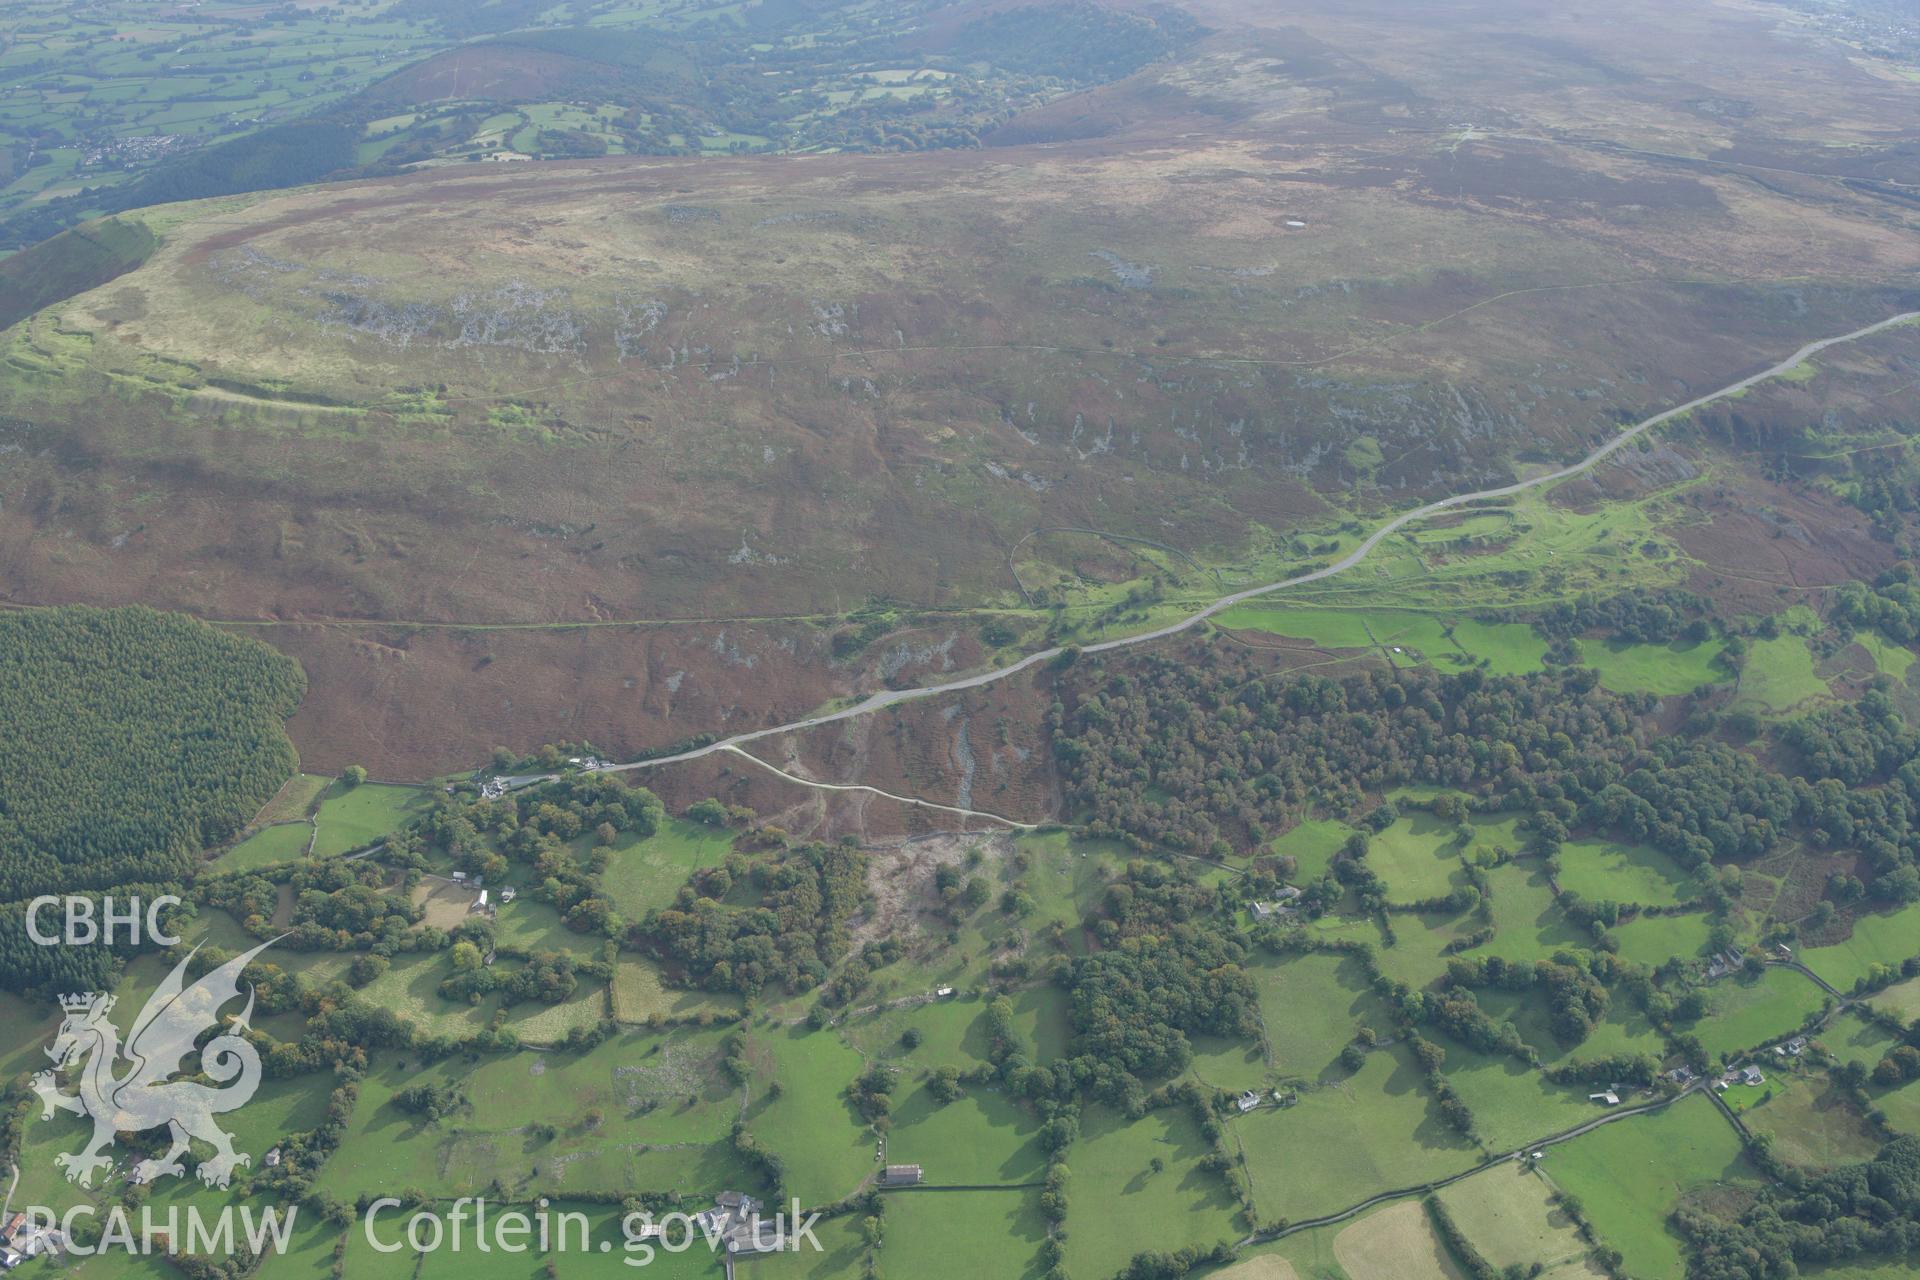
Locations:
(963, 1233)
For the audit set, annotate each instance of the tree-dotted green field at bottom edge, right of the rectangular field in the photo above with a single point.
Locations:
(1118, 1206)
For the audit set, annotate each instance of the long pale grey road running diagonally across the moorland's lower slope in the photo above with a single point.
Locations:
(894, 698)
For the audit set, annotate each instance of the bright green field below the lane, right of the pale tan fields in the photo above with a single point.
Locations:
(1633, 1173)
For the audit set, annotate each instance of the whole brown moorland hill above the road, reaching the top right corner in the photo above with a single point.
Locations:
(1287, 277)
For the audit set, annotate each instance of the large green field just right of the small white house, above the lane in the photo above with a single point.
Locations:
(1347, 1141)
